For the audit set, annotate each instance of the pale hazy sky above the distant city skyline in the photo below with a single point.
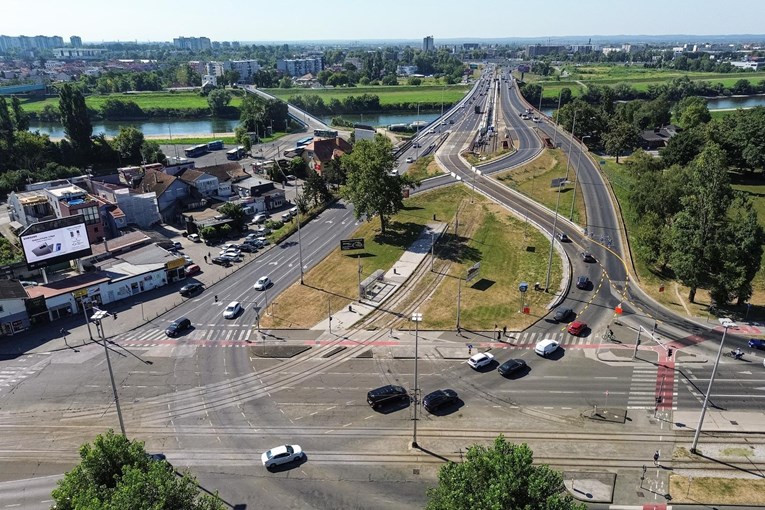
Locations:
(292, 20)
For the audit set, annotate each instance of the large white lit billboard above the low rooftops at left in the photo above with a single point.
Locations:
(54, 241)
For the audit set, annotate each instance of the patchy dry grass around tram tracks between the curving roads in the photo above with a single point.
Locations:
(487, 233)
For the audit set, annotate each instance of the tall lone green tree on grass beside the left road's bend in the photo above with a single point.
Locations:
(369, 183)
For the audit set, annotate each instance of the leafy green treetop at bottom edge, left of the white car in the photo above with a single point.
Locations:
(115, 472)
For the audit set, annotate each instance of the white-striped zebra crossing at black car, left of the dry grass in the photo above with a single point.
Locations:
(220, 336)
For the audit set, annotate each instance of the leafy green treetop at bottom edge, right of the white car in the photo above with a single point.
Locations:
(500, 476)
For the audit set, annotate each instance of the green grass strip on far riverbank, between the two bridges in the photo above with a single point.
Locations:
(388, 95)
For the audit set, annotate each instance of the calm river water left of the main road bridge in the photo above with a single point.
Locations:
(176, 128)
